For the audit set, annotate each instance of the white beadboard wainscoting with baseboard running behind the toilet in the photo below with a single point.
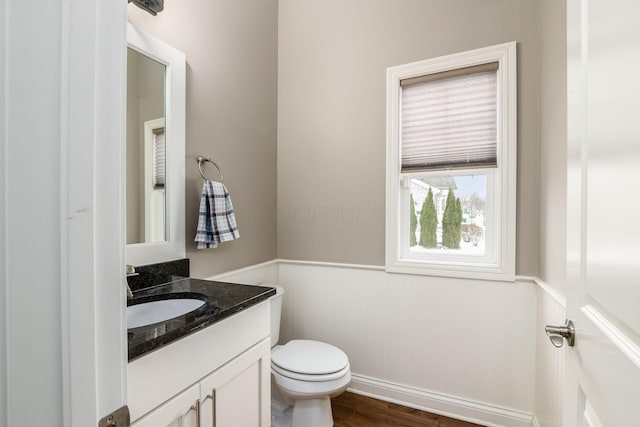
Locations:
(473, 350)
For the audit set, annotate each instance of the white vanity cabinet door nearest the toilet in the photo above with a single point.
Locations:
(239, 393)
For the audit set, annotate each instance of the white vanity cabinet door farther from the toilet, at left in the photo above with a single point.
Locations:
(178, 412)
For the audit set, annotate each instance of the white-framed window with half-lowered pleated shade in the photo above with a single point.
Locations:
(451, 165)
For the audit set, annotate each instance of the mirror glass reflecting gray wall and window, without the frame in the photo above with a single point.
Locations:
(145, 149)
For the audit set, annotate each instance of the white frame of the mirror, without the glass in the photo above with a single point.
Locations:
(175, 117)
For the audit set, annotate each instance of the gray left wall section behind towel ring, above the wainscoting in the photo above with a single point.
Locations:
(231, 49)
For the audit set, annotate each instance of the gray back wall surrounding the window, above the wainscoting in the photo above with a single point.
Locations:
(331, 114)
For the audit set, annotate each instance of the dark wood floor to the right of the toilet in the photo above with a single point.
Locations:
(354, 410)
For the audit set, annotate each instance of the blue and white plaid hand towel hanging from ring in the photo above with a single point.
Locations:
(216, 222)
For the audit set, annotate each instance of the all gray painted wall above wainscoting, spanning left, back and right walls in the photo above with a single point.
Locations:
(330, 79)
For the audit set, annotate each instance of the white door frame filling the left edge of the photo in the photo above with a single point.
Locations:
(63, 353)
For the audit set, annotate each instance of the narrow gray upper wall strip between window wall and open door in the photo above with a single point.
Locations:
(553, 142)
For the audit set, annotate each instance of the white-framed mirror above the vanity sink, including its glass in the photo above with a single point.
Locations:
(155, 151)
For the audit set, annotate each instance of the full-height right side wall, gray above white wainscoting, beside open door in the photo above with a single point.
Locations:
(551, 308)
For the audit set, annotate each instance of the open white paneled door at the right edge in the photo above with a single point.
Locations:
(602, 382)
